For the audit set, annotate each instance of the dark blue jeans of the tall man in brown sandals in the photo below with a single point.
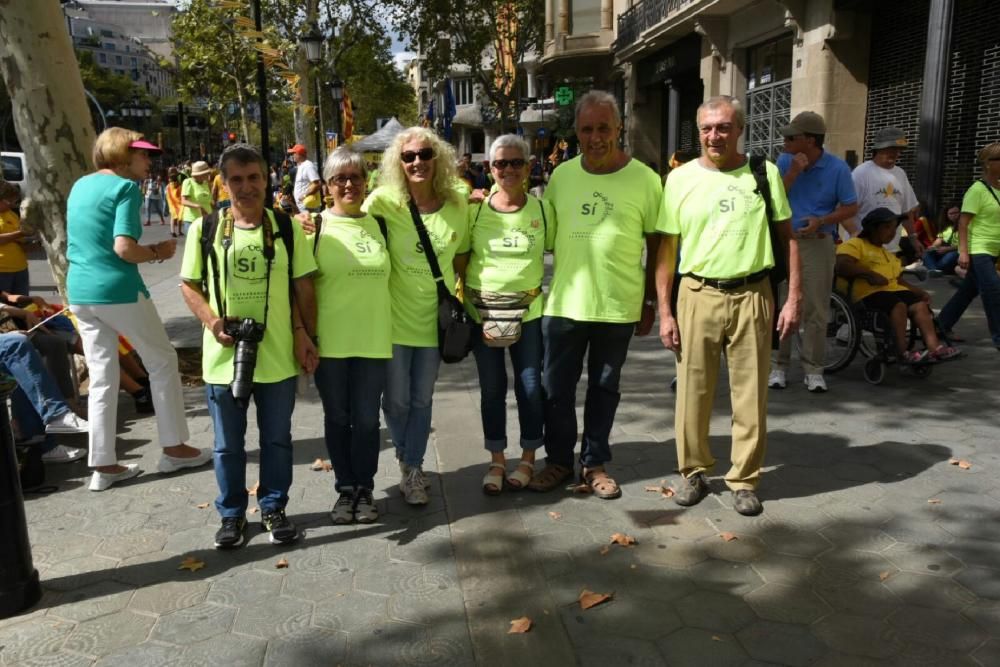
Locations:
(566, 341)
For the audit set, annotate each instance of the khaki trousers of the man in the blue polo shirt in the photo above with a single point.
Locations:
(818, 257)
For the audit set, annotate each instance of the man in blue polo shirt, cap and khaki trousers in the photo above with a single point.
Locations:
(821, 193)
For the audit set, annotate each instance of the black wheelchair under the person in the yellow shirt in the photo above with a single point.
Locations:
(853, 328)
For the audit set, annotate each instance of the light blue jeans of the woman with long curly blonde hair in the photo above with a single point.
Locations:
(409, 395)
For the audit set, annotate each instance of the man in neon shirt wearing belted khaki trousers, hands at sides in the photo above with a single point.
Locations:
(712, 207)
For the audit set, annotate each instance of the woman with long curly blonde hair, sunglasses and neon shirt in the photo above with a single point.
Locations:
(418, 166)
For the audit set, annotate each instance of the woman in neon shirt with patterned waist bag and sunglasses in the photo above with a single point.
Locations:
(509, 232)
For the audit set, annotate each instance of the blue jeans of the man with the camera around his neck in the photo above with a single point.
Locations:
(275, 402)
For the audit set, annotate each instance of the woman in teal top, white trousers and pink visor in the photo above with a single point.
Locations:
(108, 297)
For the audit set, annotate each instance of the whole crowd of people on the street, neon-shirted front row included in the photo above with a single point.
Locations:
(347, 278)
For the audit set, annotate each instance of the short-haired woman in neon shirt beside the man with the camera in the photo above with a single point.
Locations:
(355, 334)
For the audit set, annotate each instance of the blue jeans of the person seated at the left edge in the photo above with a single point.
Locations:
(37, 399)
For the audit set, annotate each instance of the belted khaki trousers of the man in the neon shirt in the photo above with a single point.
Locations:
(738, 323)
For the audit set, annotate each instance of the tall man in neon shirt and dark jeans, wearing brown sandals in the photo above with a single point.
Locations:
(605, 207)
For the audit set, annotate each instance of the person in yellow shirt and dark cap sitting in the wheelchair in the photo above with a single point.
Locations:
(870, 274)
